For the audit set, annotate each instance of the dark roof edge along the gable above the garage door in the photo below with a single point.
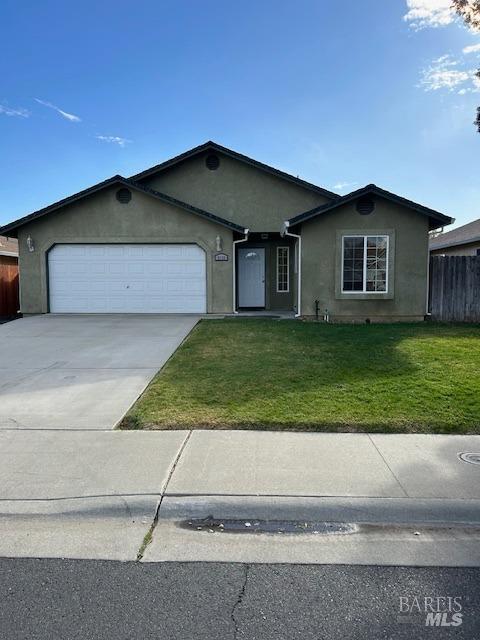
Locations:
(13, 226)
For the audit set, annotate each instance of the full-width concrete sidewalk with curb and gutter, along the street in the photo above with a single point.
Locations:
(409, 498)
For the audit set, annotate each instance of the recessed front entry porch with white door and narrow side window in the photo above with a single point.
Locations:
(265, 274)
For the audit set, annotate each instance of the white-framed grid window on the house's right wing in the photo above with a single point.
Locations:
(365, 264)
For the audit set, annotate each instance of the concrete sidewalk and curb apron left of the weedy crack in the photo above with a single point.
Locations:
(81, 494)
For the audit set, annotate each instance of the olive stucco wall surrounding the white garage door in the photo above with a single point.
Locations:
(101, 218)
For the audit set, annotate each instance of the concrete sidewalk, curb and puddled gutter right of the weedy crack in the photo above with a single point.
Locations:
(409, 499)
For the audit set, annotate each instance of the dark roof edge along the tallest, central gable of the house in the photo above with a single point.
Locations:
(213, 146)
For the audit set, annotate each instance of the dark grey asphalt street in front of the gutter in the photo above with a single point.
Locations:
(82, 599)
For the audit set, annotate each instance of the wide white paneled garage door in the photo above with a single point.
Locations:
(127, 278)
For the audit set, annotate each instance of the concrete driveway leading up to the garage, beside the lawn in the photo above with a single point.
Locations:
(81, 372)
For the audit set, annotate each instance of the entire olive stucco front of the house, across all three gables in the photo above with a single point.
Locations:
(100, 218)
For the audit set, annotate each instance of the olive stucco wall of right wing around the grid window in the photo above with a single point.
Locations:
(408, 263)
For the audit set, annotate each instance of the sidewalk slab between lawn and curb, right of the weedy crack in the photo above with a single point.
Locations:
(326, 464)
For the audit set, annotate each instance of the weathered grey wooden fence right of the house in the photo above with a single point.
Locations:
(454, 294)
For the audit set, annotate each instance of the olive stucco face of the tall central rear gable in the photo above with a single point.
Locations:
(236, 191)
